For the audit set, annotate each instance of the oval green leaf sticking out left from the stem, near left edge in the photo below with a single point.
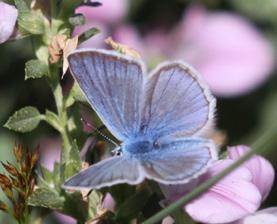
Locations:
(24, 120)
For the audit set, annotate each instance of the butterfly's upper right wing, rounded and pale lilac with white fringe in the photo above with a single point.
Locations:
(176, 102)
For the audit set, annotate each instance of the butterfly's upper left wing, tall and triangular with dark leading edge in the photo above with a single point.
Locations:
(113, 85)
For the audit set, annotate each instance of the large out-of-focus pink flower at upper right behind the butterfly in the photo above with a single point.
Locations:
(231, 54)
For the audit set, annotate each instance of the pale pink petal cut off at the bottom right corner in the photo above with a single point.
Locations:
(265, 216)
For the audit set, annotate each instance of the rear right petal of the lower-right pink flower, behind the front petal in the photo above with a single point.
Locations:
(261, 169)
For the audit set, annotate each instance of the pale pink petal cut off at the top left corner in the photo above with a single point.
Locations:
(8, 16)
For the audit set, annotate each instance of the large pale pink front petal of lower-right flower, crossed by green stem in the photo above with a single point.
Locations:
(230, 199)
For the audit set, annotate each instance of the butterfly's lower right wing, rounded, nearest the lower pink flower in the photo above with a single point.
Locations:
(179, 160)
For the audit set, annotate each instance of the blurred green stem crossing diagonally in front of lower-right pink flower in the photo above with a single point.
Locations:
(257, 147)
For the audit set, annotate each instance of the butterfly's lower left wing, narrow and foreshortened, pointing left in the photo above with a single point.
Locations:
(108, 172)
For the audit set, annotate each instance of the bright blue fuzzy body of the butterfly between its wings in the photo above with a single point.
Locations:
(138, 148)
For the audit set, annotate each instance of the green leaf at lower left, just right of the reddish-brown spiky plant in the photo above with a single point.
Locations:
(46, 197)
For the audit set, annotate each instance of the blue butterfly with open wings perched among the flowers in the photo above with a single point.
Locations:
(158, 117)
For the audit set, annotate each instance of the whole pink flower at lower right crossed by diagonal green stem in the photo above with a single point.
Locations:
(237, 195)
